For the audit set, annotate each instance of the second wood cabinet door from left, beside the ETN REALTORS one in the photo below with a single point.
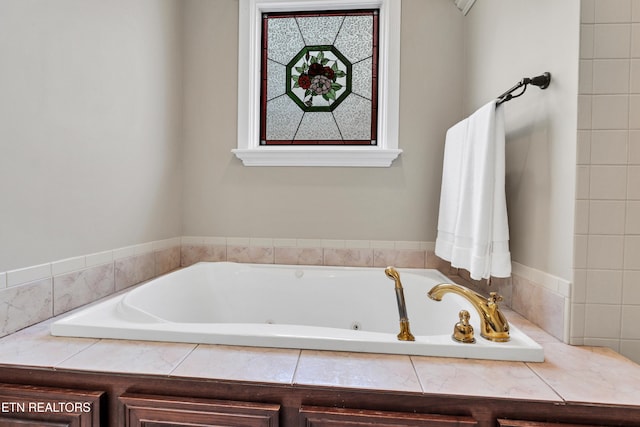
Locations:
(155, 411)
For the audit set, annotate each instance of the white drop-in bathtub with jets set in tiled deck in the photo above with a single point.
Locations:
(323, 308)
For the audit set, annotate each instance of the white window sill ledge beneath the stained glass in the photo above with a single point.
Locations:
(317, 156)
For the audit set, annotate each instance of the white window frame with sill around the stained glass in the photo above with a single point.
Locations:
(249, 41)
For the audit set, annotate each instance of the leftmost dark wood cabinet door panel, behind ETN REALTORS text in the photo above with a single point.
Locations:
(27, 406)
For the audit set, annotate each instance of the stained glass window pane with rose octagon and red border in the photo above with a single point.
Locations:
(319, 78)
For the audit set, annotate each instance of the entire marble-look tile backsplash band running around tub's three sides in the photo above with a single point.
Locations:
(55, 288)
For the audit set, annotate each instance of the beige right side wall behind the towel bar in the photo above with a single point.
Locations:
(506, 41)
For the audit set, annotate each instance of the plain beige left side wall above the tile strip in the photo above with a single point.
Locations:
(90, 114)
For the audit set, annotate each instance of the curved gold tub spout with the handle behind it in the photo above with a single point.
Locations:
(493, 324)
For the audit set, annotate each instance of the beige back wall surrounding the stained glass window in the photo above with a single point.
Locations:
(224, 198)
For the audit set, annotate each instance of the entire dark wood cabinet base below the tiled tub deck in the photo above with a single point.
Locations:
(153, 401)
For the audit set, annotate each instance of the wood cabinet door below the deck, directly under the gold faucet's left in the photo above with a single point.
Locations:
(339, 417)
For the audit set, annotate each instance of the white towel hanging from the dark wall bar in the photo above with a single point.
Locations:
(473, 231)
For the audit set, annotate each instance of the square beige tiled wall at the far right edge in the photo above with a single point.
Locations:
(606, 294)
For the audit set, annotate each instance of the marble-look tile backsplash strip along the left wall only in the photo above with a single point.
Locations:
(33, 294)
